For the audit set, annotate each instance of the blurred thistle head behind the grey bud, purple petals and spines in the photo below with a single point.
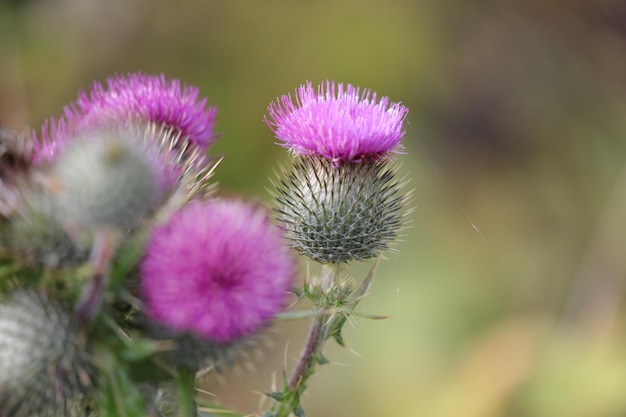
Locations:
(180, 122)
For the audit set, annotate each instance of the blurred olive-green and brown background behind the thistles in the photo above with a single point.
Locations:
(506, 293)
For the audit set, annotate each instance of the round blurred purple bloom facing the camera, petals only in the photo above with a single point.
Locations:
(217, 269)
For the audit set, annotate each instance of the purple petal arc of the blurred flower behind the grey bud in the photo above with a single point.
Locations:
(135, 97)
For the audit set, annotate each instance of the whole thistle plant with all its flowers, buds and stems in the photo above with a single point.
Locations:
(123, 280)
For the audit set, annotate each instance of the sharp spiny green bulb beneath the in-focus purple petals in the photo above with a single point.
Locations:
(336, 214)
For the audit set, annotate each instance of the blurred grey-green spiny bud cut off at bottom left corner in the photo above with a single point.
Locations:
(44, 368)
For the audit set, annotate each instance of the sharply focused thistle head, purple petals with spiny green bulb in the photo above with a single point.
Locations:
(340, 202)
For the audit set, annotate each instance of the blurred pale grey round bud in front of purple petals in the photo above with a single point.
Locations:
(106, 180)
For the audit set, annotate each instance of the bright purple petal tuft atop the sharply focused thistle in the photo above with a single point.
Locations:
(340, 124)
